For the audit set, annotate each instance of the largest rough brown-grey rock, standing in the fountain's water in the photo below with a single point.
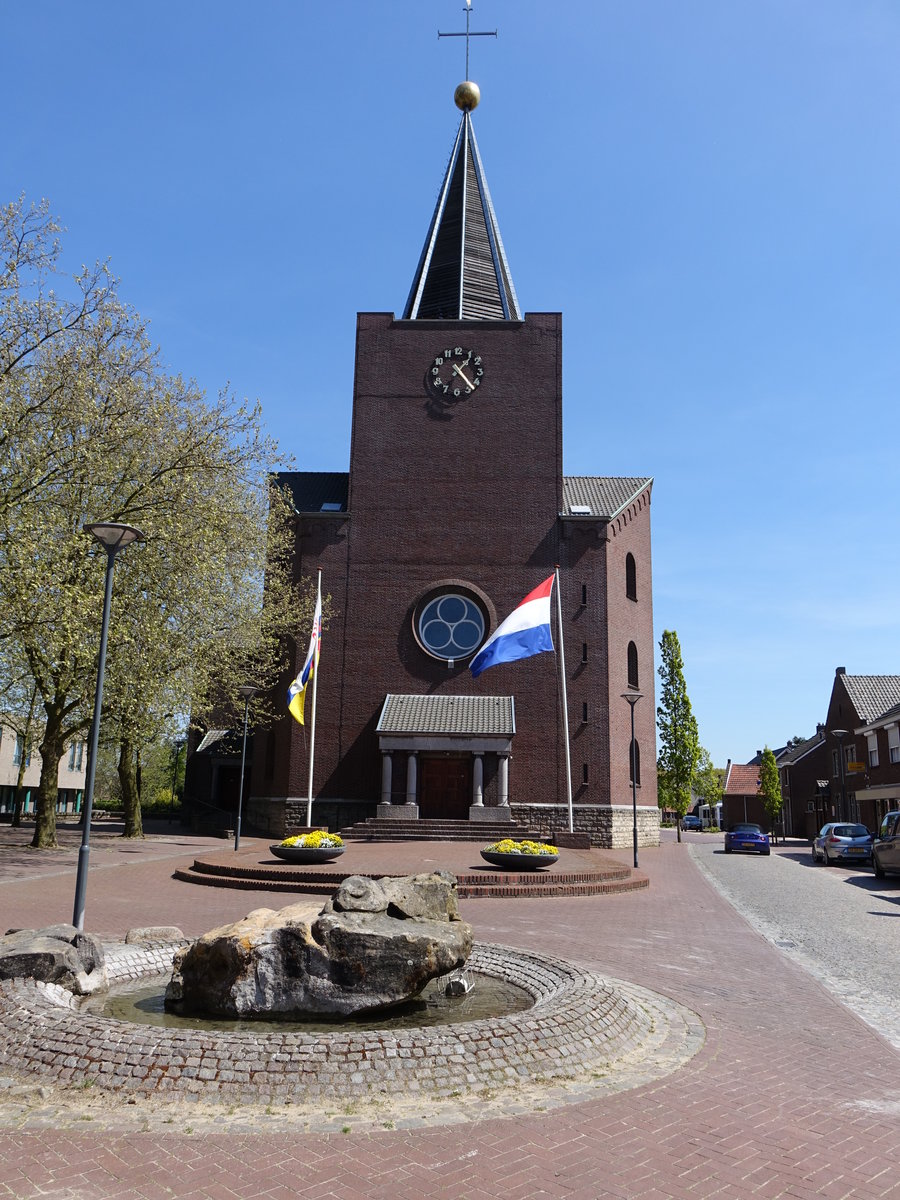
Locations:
(375, 945)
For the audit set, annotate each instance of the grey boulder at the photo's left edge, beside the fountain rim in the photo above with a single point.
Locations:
(61, 955)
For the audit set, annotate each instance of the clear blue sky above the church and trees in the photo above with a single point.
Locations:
(709, 191)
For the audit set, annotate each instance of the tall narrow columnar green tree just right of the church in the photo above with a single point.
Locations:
(679, 739)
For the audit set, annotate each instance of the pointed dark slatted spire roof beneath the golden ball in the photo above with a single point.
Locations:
(463, 273)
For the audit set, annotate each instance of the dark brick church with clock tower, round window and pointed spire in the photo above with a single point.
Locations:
(455, 507)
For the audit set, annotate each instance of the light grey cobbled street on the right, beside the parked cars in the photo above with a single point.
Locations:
(839, 923)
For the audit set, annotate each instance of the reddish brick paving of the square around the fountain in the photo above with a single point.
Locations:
(791, 1095)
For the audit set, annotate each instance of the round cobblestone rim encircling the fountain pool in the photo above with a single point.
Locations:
(584, 1031)
